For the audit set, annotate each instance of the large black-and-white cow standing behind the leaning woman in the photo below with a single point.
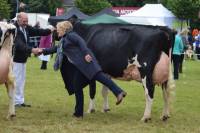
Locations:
(133, 52)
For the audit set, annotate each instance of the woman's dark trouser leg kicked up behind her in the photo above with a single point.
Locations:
(102, 78)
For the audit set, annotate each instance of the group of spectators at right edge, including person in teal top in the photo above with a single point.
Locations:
(186, 46)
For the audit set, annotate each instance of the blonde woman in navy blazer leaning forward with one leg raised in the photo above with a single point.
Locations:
(79, 66)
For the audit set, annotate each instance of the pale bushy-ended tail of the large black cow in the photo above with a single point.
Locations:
(170, 86)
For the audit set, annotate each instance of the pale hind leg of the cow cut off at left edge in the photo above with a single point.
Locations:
(10, 85)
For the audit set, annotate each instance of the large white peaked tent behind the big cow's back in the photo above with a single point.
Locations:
(151, 14)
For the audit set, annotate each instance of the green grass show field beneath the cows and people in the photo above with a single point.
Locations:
(52, 108)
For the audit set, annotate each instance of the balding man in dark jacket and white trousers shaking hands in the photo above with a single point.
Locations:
(21, 52)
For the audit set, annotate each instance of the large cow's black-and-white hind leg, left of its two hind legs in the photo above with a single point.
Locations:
(149, 90)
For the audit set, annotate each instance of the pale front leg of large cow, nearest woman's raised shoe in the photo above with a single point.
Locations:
(105, 99)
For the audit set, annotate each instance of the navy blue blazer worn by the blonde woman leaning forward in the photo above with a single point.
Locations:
(75, 49)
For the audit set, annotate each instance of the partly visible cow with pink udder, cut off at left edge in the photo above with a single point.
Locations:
(7, 34)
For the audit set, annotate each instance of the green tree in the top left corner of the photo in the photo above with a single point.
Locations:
(5, 9)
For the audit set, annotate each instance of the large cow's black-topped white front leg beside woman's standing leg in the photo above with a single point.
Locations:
(92, 92)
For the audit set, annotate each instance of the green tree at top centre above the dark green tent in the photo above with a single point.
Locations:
(92, 6)
